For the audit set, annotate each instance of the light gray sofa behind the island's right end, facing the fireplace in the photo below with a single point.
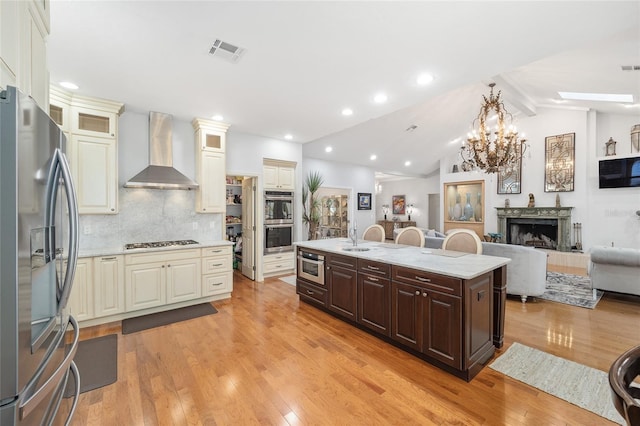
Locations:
(527, 271)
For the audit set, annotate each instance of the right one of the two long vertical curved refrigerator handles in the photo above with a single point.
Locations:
(72, 206)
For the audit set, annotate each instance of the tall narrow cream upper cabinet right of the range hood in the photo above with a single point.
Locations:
(210, 138)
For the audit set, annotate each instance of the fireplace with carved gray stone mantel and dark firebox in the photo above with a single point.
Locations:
(545, 227)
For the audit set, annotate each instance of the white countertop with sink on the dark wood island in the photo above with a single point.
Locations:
(445, 262)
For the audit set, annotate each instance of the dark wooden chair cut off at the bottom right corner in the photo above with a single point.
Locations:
(626, 398)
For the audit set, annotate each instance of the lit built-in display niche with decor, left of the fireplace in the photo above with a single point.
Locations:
(464, 206)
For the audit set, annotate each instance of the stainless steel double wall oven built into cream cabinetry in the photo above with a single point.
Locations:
(278, 221)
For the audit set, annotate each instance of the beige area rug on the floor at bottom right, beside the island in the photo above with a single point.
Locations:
(578, 384)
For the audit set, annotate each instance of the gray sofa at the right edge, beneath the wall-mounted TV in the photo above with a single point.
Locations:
(615, 269)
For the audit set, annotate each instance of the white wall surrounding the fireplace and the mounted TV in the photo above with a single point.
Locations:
(607, 215)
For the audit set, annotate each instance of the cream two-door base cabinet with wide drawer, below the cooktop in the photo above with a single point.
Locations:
(158, 278)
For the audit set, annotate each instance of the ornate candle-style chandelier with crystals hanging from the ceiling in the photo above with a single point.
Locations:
(493, 149)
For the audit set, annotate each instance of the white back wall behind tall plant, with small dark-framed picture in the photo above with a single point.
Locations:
(350, 177)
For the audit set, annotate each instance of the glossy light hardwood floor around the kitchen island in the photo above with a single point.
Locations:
(265, 358)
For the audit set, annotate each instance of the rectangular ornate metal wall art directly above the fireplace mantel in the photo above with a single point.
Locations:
(559, 163)
